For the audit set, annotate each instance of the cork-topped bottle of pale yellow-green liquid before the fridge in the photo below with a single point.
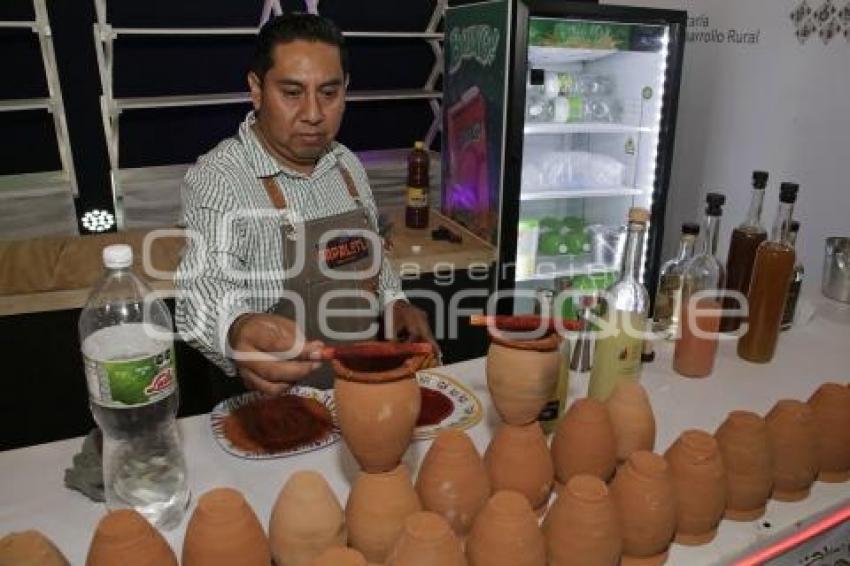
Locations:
(620, 343)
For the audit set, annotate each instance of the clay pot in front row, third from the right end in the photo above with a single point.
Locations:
(745, 451)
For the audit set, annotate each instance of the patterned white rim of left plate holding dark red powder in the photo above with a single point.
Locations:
(227, 406)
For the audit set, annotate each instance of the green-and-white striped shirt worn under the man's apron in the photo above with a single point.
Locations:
(233, 263)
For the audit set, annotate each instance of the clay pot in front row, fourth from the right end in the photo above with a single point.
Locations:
(700, 482)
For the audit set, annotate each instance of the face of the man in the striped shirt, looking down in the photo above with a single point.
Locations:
(300, 101)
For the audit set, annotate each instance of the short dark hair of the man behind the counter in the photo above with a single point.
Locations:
(291, 27)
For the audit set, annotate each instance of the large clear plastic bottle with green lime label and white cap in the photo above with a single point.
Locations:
(128, 351)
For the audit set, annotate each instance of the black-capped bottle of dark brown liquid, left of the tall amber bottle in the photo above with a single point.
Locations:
(745, 240)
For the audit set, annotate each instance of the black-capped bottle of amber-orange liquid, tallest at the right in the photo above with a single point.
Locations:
(772, 273)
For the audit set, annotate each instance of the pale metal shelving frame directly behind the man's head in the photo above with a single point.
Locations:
(105, 36)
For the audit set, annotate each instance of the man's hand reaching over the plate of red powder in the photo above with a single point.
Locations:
(267, 337)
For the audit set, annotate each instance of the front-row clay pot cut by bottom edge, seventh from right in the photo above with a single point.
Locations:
(506, 533)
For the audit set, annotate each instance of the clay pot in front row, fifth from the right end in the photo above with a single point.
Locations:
(646, 501)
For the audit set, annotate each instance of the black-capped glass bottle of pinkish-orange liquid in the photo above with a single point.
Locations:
(702, 282)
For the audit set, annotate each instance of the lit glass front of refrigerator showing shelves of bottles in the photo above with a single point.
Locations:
(594, 94)
